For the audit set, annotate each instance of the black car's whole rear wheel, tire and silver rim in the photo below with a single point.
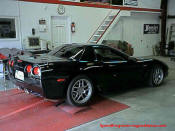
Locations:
(78, 89)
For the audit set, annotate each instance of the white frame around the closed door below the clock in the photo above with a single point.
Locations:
(68, 28)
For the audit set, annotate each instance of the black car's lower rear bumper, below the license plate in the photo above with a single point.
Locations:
(46, 89)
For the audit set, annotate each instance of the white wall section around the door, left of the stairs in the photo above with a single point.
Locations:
(86, 20)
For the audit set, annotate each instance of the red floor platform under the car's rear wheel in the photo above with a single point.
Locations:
(26, 112)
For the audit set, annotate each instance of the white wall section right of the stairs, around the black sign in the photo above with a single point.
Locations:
(130, 29)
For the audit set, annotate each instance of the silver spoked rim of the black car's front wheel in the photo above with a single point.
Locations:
(158, 76)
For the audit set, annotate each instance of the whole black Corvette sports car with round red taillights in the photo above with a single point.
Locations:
(75, 71)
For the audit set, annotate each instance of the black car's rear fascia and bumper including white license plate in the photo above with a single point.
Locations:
(45, 85)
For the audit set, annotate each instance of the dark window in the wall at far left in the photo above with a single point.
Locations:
(7, 28)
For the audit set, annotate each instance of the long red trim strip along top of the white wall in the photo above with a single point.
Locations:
(93, 5)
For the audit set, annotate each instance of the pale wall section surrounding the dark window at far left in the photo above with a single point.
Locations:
(9, 8)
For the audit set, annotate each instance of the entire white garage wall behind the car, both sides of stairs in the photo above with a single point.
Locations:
(87, 20)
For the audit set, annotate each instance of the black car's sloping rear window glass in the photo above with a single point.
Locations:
(67, 51)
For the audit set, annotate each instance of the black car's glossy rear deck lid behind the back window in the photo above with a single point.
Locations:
(42, 59)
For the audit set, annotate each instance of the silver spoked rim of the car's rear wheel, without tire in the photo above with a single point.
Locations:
(81, 91)
